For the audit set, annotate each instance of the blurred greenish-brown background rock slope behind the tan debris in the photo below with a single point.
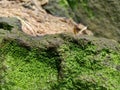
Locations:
(101, 16)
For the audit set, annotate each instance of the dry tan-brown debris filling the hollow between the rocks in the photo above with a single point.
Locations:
(35, 20)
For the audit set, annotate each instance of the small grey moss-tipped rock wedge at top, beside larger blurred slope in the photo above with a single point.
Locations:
(59, 8)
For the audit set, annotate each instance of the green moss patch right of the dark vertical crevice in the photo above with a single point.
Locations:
(87, 68)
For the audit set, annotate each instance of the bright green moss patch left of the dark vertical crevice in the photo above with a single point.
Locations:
(28, 69)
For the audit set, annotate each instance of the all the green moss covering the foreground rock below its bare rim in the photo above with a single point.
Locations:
(68, 67)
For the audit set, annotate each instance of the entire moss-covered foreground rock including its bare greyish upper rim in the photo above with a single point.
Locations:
(57, 62)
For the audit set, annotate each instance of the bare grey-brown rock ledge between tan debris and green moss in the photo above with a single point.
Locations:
(12, 27)
